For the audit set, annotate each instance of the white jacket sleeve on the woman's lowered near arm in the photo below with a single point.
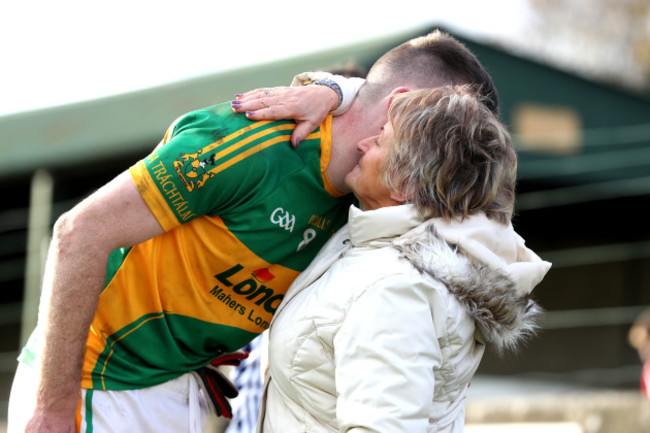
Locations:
(385, 354)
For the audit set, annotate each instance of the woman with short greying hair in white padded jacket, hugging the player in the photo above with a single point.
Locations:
(385, 329)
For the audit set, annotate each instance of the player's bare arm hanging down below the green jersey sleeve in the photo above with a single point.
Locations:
(115, 216)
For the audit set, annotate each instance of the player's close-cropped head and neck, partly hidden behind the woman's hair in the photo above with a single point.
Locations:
(425, 62)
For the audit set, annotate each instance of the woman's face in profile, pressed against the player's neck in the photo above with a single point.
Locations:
(365, 178)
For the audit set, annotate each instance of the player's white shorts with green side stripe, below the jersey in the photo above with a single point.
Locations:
(178, 405)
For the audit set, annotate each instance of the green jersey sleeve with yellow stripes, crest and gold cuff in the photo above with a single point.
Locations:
(206, 163)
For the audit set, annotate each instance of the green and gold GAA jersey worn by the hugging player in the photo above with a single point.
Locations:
(244, 213)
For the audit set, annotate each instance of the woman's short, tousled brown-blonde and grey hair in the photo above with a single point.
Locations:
(450, 154)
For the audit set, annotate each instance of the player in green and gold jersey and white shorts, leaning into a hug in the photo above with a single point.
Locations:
(188, 254)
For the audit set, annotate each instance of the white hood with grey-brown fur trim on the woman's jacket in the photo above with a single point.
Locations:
(487, 267)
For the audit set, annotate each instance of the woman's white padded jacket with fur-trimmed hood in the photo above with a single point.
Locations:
(385, 329)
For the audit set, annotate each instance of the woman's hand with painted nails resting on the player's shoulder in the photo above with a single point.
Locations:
(307, 105)
